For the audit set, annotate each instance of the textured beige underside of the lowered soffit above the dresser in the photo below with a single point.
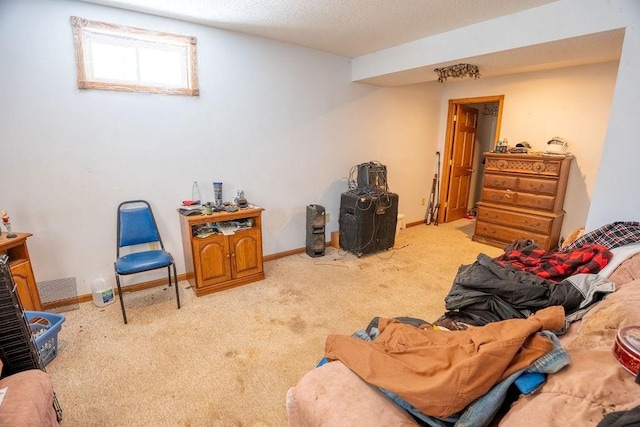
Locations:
(590, 49)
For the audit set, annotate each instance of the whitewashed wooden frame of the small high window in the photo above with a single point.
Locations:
(85, 32)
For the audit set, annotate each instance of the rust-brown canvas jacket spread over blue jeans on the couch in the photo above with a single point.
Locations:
(441, 372)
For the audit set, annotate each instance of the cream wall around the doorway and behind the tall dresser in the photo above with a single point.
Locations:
(570, 102)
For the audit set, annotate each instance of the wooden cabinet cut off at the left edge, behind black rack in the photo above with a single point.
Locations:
(20, 265)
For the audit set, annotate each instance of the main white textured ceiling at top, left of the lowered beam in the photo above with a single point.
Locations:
(349, 28)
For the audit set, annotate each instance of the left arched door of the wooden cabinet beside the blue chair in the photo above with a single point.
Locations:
(212, 260)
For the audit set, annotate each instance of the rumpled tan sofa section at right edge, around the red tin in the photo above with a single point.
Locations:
(595, 383)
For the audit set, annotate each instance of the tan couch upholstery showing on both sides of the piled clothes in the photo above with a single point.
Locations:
(593, 385)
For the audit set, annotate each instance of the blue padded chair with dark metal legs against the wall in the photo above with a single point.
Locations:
(137, 226)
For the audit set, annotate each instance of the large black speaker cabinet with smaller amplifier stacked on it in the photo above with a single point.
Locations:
(368, 222)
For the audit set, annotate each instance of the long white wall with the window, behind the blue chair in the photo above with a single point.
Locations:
(283, 123)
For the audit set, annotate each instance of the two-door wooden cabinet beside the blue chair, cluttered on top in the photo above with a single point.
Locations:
(219, 262)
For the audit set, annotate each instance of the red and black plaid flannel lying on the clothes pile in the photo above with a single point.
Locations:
(557, 266)
